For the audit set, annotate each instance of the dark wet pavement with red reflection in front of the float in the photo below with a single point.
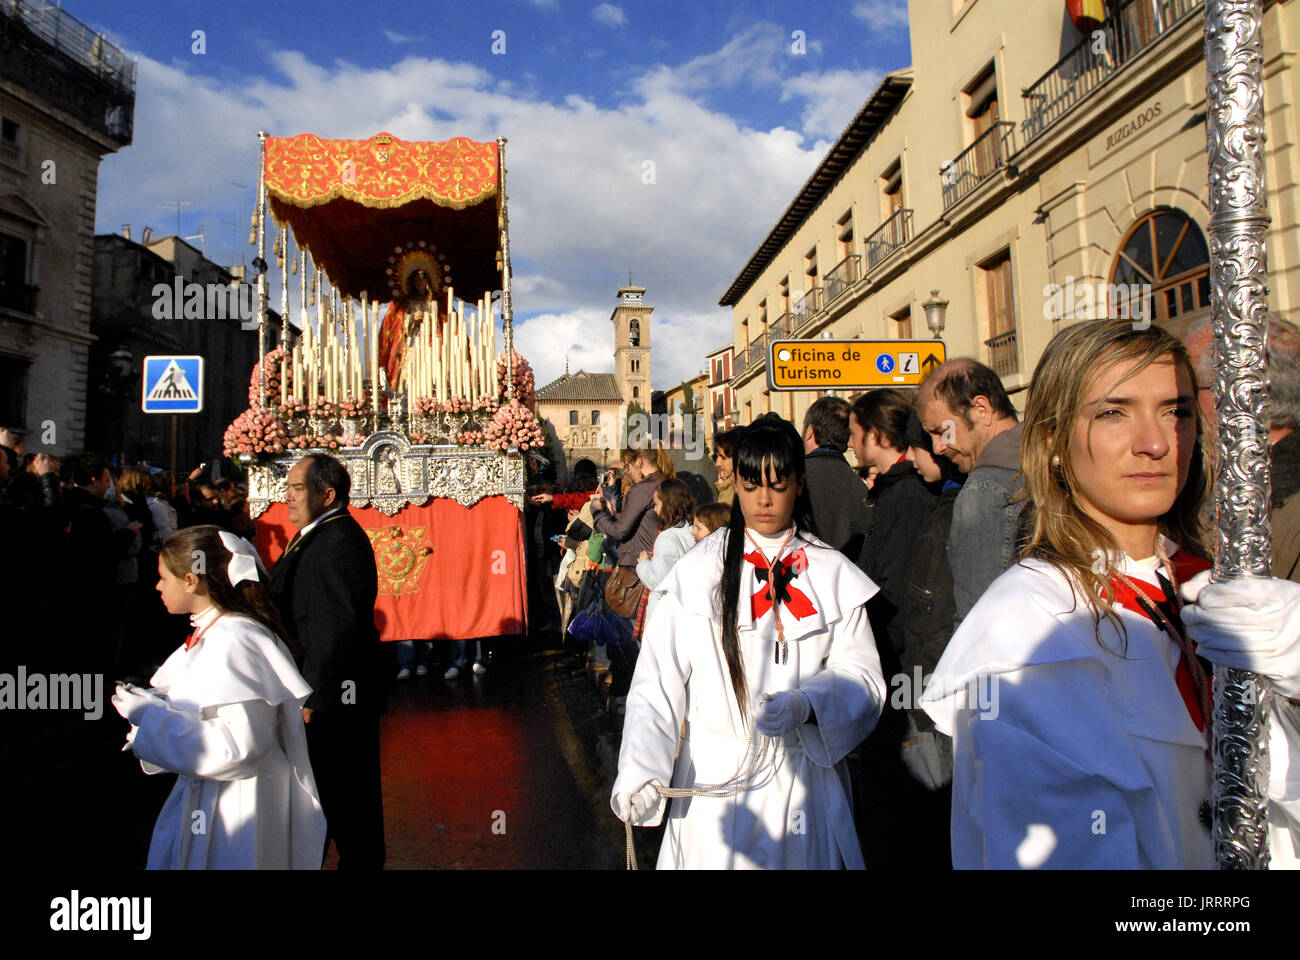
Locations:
(489, 772)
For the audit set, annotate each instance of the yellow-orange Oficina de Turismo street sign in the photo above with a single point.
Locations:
(852, 365)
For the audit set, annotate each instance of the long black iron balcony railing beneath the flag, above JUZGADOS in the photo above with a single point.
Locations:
(1125, 36)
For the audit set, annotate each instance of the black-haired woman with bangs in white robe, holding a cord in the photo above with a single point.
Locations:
(761, 645)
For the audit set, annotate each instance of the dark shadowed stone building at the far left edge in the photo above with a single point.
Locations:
(67, 101)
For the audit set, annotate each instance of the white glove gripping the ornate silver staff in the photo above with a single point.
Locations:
(1250, 624)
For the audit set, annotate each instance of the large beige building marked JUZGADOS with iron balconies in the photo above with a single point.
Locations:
(1032, 176)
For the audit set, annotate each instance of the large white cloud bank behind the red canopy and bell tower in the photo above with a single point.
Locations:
(582, 215)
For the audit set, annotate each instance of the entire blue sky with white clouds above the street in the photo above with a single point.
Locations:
(729, 102)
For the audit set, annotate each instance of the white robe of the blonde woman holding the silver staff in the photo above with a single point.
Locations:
(1074, 756)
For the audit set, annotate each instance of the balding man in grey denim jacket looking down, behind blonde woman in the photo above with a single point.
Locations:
(965, 409)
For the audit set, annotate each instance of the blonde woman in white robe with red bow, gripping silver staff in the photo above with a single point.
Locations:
(1076, 690)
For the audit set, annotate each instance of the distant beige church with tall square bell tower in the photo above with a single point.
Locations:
(584, 409)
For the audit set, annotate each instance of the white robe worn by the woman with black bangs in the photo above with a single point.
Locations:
(800, 814)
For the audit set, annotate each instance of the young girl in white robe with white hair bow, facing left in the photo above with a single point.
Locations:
(224, 713)
